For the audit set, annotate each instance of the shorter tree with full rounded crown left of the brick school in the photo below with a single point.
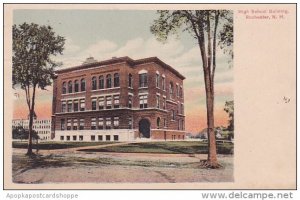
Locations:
(34, 46)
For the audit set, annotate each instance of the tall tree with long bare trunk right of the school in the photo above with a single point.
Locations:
(209, 28)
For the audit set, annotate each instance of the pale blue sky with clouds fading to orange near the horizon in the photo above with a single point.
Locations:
(107, 33)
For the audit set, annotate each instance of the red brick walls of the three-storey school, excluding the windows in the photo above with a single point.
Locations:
(123, 69)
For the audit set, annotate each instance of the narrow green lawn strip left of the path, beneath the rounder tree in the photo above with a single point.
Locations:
(57, 145)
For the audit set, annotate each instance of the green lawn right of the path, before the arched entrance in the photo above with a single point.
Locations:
(178, 147)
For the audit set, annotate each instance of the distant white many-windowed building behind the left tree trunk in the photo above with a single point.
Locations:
(41, 126)
